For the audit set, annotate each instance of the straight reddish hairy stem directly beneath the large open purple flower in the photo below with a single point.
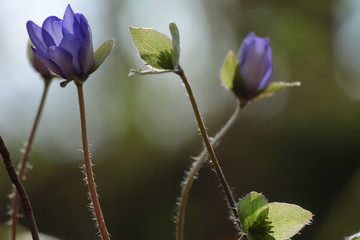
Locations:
(88, 166)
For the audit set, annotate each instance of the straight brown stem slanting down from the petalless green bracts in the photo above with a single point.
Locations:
(210, 150)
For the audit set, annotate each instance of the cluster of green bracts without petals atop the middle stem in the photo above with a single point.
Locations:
(157, 51)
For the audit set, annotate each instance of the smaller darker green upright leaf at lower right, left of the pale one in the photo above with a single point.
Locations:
(253, 209)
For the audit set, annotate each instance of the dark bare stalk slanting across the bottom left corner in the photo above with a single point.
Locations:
(20, 189)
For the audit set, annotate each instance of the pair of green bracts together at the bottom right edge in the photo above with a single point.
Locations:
(261, 220)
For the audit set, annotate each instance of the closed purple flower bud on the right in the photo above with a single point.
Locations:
(255, 61)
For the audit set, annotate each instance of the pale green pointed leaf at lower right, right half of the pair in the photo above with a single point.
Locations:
(287, 219)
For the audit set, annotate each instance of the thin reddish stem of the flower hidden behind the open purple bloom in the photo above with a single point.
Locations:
(24, 161)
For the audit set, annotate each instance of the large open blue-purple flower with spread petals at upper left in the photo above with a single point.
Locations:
(64, 45)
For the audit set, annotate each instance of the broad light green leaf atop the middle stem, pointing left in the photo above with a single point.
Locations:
(155, 49)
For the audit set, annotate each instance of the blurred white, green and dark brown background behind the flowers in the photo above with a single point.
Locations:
(300, 146)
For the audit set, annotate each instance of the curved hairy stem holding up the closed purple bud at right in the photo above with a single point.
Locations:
(195, 167)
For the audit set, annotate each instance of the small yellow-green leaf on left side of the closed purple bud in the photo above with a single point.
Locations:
(229, 70)
